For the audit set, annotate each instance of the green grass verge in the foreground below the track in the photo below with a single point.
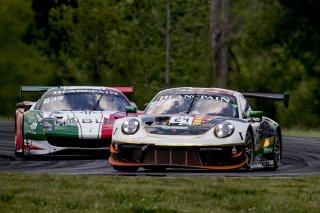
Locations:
(68, 193)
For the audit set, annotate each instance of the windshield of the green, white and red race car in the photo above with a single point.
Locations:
(81, 101)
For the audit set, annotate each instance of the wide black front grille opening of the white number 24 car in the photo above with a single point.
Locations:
(178, 156)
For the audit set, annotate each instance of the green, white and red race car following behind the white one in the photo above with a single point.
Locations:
(68, 119)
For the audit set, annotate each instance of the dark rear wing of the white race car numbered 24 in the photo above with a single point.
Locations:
(269, 96)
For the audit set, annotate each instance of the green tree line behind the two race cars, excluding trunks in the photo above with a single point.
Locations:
(273, 47)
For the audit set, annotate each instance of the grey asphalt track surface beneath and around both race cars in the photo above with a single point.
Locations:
(301, 157)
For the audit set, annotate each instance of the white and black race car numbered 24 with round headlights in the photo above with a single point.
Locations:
(207, 128)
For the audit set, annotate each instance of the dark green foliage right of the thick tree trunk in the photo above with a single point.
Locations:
(277, 51)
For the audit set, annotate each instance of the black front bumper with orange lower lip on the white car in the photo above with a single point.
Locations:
(207, 157)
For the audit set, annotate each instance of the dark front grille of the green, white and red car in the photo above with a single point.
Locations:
(78, 143)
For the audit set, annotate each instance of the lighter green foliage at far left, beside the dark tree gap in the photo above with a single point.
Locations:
(19, 62)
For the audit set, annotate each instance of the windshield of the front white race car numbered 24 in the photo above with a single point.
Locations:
(197, 104)
